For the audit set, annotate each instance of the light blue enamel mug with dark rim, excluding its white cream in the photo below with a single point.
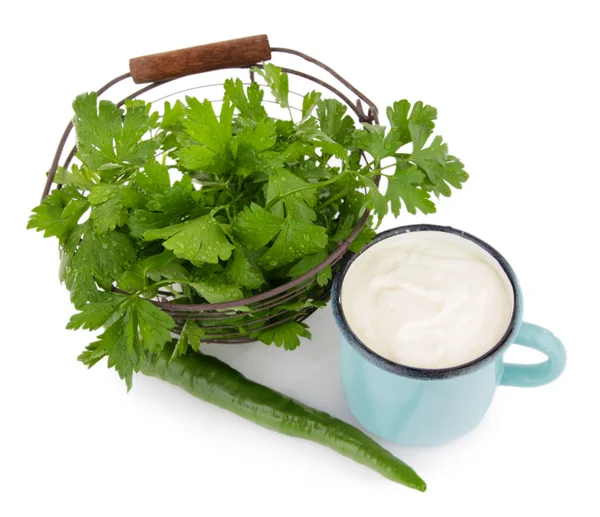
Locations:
(421, 407)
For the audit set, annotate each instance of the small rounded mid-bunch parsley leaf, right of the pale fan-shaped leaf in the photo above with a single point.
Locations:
(255, 227)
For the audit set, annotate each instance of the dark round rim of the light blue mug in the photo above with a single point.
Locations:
(413, 371)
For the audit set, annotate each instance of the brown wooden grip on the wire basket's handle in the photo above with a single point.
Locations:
(203, 58)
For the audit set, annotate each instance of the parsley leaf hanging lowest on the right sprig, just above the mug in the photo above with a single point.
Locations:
(405, 185)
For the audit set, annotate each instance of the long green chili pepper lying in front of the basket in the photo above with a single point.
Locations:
(212, 380)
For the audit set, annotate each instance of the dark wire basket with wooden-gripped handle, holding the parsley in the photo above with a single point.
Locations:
(221, 321)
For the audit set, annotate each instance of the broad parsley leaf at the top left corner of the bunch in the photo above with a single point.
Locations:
(109, 139)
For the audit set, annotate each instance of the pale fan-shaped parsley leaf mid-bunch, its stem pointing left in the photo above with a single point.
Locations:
(199, 240)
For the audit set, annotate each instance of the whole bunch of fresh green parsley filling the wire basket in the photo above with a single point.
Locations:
(259, 201)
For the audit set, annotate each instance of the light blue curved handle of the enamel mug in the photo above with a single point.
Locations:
(530, 375)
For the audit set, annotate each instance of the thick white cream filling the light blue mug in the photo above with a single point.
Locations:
(427, 299)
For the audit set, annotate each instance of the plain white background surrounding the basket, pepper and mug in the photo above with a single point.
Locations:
(517, 90)
